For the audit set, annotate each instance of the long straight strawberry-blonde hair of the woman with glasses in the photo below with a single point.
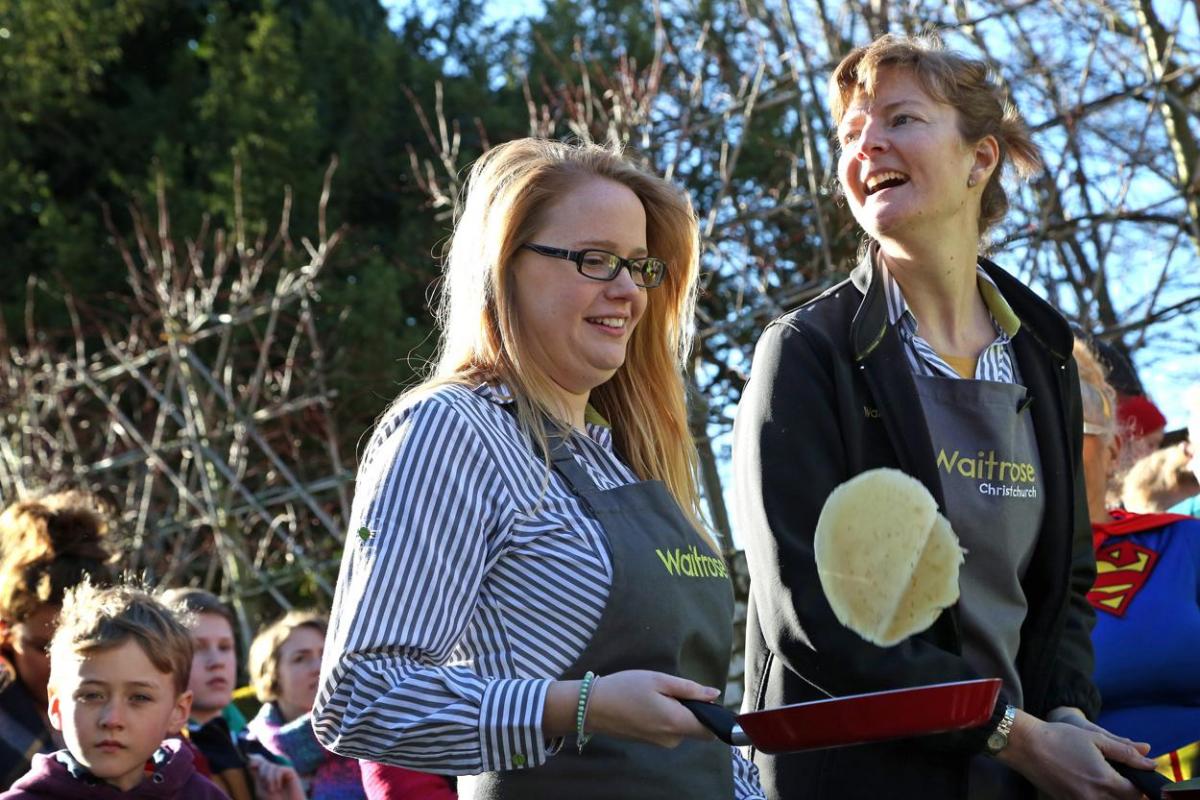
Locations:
(507, 197)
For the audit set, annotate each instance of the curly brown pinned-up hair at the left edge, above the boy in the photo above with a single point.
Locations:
(47, 546)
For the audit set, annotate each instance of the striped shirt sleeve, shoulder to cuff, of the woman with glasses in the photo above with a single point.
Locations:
(422, 539)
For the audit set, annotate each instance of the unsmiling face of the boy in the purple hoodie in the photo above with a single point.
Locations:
(115, 708)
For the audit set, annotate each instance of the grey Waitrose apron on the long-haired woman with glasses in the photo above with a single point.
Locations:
(670, 610)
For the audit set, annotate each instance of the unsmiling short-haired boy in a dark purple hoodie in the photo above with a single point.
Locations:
(121, 665)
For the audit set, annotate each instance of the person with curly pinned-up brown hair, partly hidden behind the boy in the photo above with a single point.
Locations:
(47, 546)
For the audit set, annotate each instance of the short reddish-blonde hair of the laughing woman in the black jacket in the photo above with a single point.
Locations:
(967, 85)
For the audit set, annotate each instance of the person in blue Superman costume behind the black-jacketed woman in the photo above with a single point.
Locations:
(1148, 601)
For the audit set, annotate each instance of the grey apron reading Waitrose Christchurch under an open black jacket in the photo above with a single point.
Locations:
(988, 461)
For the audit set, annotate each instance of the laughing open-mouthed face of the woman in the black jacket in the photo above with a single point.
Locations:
(904, 166)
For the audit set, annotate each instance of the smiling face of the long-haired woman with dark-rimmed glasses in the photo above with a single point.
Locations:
(577, 329)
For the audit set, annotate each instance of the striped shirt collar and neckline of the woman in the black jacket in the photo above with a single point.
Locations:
(997, 363)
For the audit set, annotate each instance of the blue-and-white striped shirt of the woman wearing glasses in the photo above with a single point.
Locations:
(471, 579)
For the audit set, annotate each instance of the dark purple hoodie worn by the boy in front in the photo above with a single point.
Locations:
(59, 777)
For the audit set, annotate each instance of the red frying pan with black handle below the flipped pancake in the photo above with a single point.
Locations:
(855, 720)
